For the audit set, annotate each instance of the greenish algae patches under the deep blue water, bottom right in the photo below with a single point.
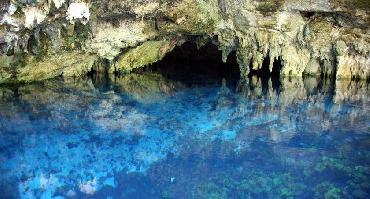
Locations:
(255, 184)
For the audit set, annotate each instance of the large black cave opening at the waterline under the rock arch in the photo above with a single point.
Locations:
(197, 66)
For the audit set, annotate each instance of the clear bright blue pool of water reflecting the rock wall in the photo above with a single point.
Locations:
(145, 136)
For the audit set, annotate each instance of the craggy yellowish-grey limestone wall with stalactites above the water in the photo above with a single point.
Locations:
(41, 39)
